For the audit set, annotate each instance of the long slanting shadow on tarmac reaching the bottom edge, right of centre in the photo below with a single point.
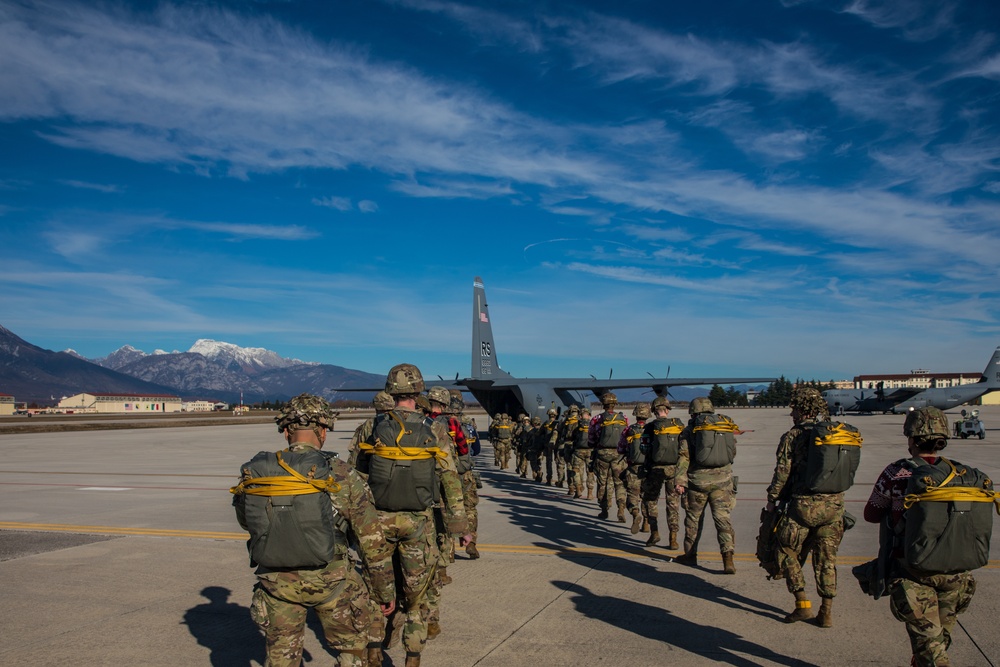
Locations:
(662, 625)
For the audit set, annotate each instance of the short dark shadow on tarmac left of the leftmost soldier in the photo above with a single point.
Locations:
(226, 630)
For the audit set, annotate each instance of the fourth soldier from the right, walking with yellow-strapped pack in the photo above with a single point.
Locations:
(666, 463)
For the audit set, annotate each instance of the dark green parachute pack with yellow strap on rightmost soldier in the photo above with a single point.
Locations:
(948, 519)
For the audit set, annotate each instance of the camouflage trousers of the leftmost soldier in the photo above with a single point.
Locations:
(281, 601)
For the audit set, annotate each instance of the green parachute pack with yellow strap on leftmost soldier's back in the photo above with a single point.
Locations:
(283, 501)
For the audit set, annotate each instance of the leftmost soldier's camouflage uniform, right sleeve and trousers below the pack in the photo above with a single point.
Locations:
(337, 592)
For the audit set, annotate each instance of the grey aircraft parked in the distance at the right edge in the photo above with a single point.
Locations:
(903, 399)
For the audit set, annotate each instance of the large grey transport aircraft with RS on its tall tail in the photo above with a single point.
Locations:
(498, 391)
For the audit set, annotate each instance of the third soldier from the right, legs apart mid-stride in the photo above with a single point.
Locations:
(711, 444)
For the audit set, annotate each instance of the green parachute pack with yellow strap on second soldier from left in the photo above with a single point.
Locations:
(402, 472)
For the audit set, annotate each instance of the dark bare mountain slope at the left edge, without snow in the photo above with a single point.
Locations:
(33, 374)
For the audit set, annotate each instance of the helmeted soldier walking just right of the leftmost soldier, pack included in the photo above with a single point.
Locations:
(405, 496)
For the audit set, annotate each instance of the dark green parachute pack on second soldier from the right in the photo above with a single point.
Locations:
(833, 457)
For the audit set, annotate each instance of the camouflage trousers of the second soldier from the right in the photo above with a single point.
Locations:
(813, 525)
